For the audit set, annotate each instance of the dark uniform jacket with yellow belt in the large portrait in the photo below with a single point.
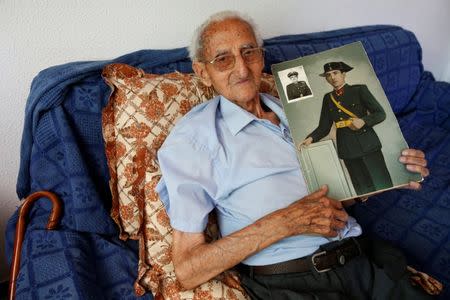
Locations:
(351, 143)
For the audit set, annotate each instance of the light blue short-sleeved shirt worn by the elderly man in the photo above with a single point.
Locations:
(219, 156)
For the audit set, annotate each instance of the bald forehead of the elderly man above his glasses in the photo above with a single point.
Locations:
(223, 35)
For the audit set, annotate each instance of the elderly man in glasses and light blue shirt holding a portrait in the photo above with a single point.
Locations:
(235, 154)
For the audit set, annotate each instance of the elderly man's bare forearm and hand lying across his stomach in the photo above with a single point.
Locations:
(196, 260)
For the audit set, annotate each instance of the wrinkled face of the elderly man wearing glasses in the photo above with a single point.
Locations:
(241, 83)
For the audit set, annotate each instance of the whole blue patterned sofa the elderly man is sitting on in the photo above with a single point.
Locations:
(62, 151)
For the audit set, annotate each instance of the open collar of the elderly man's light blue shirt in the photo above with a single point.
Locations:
(237, 118)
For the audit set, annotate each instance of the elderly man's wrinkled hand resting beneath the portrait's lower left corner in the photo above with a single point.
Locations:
(315, 214)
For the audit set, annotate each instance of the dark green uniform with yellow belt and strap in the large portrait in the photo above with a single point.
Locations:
(360, 149)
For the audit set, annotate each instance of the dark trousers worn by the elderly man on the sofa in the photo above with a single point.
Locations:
(364, 277)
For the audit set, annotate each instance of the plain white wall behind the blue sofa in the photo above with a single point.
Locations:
(38, 34)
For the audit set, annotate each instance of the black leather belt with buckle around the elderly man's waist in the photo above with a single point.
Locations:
(326, 258)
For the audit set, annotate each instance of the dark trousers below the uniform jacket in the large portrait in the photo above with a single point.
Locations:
(369, 173)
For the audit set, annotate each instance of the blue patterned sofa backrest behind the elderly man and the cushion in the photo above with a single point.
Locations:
(62, 146)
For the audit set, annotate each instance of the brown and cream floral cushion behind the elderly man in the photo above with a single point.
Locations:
(140, 114)
